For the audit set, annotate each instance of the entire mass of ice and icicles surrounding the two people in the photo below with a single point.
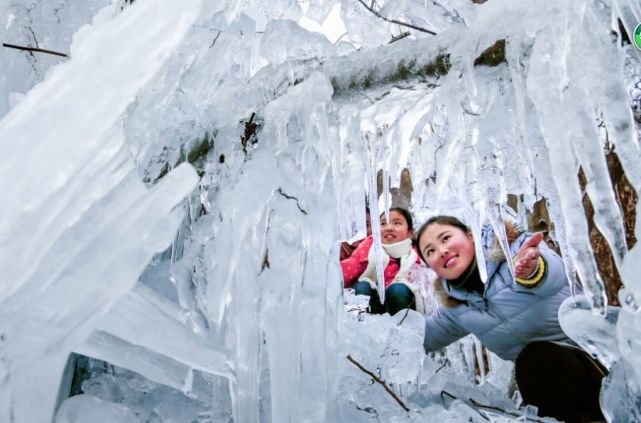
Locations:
(241, 313)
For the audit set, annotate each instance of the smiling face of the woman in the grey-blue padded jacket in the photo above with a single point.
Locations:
(447, 250)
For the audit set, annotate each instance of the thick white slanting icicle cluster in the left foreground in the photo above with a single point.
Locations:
(78, 226)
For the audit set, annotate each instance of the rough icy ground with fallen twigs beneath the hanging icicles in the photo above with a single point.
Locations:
(444, 387)
